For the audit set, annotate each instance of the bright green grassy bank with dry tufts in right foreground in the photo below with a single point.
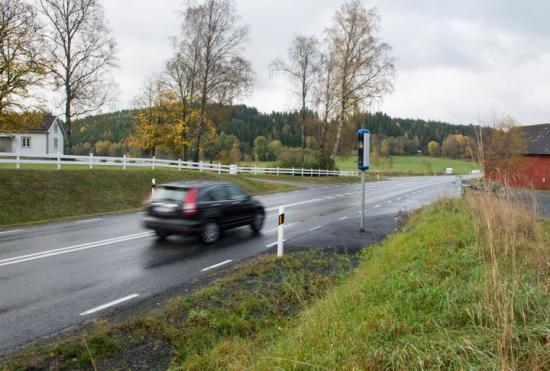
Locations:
(464, 286)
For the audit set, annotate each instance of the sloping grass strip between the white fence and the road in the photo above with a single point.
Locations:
(34, 196)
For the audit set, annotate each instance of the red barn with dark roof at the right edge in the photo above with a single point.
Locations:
(535, 165)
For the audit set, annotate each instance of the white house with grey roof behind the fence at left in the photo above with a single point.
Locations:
(40, 140)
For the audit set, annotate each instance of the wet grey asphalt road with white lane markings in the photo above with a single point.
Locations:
(60, 275)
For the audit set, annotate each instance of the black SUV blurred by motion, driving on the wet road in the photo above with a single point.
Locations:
(201, 208)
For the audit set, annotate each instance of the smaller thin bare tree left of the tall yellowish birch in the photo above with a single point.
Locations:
(301, 68)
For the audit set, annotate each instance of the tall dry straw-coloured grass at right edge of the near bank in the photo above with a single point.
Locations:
(511, 239)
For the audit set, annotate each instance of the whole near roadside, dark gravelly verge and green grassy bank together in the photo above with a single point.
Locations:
(464, 285)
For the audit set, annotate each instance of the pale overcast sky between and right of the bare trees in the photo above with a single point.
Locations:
(458, 61)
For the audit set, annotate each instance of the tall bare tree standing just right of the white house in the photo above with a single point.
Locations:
(83, 51)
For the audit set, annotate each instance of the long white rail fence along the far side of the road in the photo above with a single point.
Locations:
(92, 161)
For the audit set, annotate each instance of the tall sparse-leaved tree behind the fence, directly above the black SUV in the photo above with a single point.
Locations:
(220, 40)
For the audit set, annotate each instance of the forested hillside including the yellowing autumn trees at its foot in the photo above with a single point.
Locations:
(108, 134)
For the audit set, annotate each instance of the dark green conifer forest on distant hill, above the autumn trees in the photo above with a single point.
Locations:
(246, 123)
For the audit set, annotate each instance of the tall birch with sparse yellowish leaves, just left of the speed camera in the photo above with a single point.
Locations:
(364, 66)
